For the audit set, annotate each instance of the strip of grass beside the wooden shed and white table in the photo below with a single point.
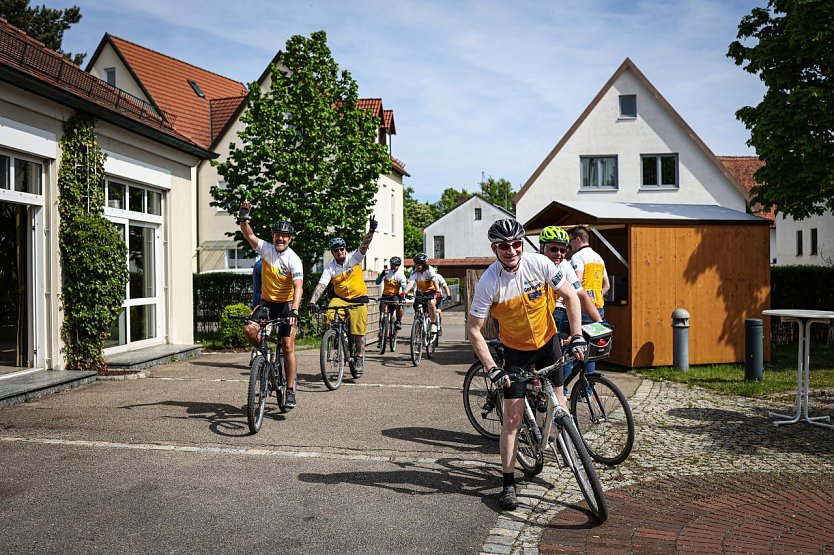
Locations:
(778, 377)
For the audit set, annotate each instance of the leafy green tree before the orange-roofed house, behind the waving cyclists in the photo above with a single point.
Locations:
(308, 153)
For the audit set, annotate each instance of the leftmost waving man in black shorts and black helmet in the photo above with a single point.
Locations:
(282, 280)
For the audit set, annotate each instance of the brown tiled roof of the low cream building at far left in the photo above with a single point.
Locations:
(49, 74)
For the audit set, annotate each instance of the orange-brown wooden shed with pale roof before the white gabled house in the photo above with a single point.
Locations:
(711, 261)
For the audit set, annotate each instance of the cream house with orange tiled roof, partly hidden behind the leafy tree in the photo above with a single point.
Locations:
(208, 107)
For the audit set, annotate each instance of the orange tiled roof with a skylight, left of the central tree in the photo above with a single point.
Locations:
(166, 82)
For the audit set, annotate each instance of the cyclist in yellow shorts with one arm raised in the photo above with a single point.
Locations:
(345, 272)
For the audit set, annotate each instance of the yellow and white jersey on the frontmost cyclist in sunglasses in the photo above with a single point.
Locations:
(519, 301)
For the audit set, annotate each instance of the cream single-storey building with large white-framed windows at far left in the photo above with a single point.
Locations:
(149, 196)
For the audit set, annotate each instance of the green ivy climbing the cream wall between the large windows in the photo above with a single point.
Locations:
(93, 253)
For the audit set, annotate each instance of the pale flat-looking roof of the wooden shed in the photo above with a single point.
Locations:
(574, 212)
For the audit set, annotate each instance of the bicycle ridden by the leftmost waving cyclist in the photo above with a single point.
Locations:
(266, 371)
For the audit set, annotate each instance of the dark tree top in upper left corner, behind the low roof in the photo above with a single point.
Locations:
(44, 24)
